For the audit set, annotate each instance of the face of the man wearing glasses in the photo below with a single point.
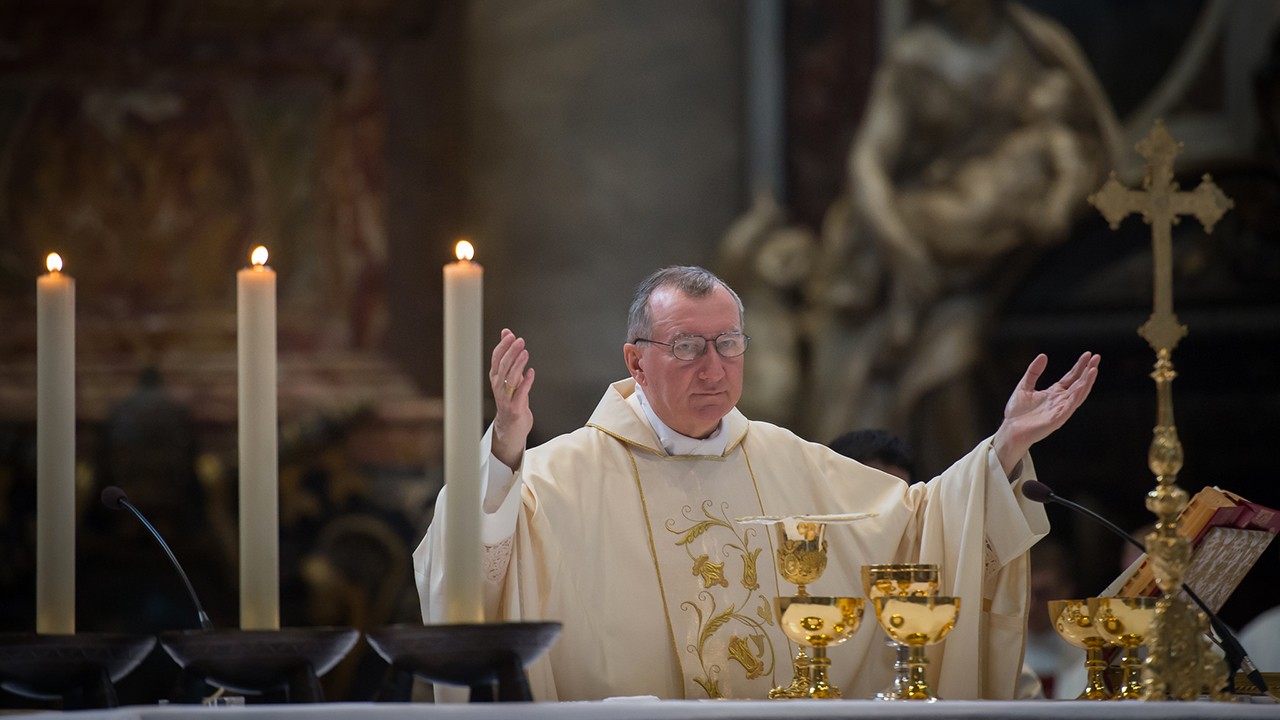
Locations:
(691, 397)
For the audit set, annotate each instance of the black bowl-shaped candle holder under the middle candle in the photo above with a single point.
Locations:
(259, 662)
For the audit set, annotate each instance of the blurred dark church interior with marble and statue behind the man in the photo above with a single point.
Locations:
(897, 189)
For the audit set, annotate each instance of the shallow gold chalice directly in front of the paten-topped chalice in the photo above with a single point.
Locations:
(819, 623)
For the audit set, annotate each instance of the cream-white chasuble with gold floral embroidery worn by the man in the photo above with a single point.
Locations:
(661, 593)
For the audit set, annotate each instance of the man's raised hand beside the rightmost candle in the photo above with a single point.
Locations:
(510, 382)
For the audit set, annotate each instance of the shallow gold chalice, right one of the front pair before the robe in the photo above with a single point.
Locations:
(917, 622)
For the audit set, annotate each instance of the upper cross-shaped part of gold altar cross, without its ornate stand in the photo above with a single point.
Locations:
(1162, 204)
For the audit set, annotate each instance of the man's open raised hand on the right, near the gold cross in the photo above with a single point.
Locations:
(1032, 416)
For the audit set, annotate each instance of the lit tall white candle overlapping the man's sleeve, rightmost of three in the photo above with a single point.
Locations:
(464, 284)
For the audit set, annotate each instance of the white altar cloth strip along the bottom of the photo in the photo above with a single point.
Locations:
(708, 710)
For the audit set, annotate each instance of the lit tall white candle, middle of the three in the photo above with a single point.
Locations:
(259, 452)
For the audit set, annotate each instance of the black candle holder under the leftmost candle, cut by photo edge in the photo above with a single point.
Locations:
(81, 669)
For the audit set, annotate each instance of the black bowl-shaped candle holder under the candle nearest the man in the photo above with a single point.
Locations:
(477, 655)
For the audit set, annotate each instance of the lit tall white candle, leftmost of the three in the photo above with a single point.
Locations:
(56, 450)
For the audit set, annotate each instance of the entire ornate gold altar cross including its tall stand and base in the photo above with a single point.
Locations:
(1181, 664)
